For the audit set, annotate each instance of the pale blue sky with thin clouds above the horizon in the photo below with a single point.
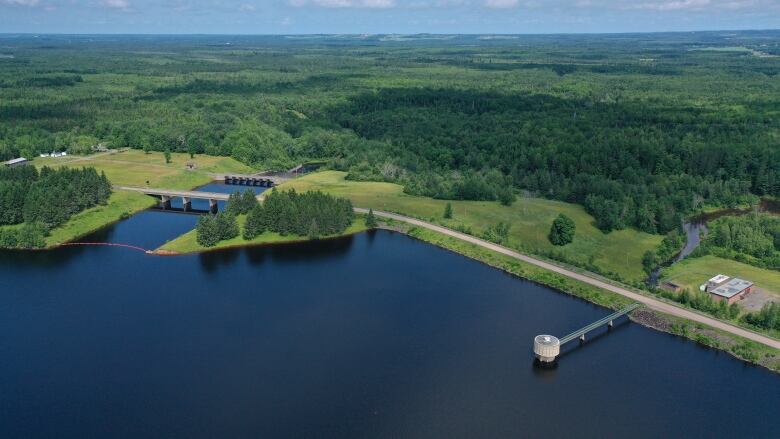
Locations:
(383, 16)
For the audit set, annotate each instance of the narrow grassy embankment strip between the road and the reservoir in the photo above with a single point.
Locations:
(739, 347)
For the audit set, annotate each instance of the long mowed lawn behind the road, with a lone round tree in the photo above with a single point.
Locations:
(529, 218)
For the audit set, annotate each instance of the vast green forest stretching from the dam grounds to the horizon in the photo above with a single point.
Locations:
(640, 131)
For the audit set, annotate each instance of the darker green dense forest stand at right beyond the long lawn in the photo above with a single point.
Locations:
(629, 163)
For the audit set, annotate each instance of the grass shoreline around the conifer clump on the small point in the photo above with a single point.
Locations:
(188, 243)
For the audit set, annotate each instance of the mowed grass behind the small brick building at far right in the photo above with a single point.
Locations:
(692, 272)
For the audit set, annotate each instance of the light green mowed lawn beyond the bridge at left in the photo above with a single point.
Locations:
(136, 168)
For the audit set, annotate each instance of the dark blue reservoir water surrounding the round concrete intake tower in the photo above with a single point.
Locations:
(377, 335)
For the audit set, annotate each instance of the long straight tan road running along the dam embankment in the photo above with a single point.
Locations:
(648, 301)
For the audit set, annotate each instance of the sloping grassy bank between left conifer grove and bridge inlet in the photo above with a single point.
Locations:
(120, 205)
